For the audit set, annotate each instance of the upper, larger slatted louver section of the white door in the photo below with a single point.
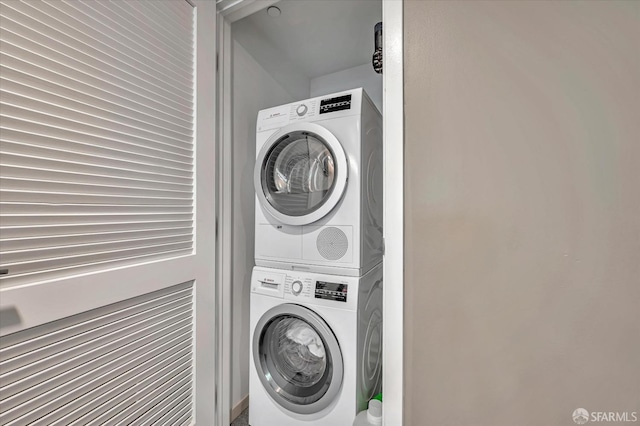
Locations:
(96, 135)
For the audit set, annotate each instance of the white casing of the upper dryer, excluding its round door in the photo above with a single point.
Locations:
(358, 213)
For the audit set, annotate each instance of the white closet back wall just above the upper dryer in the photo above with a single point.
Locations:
(351, 78)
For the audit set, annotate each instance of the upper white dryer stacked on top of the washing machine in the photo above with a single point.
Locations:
(318, 183)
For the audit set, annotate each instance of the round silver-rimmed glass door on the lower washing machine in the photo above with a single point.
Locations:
(297, 358)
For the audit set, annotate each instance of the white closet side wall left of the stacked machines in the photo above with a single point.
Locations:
(253, 90)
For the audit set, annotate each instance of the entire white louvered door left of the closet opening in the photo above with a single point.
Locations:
(107, 212)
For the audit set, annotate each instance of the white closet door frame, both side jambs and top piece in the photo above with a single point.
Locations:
(230, 11)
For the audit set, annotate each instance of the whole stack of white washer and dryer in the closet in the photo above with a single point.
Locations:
(316, 290)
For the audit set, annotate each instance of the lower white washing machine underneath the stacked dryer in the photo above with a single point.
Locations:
(316, 347)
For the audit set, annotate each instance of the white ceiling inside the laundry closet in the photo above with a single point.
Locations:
(320, 36)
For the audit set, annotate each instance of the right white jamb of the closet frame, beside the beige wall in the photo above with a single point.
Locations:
(393, 206)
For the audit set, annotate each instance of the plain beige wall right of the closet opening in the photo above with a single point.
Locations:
(522, 188)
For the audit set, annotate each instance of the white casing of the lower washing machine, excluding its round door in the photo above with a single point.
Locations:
(353, 313)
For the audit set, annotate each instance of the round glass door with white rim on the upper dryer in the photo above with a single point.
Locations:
(300, 174)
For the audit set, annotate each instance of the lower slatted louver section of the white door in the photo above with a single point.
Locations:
(126, 363)
